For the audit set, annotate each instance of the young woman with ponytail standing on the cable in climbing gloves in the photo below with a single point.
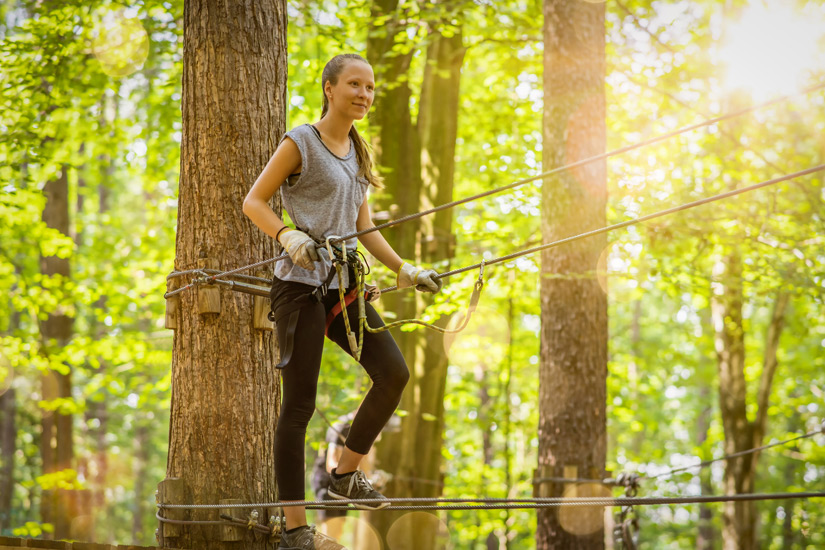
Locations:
(323, 171)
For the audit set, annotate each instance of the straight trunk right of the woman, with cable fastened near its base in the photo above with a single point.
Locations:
(573, 359)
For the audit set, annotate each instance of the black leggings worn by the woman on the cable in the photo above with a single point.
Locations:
(380, 357)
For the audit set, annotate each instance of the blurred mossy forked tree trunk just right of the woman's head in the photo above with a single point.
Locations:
(418, 164)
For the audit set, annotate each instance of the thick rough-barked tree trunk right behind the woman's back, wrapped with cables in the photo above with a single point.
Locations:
(225, 391)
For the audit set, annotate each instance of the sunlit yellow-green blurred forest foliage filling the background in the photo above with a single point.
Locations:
(91, 94)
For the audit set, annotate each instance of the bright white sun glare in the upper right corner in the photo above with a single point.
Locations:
(772, 47)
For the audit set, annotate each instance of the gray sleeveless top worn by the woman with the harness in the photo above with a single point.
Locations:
(322, 200)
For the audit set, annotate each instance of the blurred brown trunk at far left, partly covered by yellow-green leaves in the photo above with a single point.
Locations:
(56, 440)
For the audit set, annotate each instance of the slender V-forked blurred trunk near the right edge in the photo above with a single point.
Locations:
(740, 519)
